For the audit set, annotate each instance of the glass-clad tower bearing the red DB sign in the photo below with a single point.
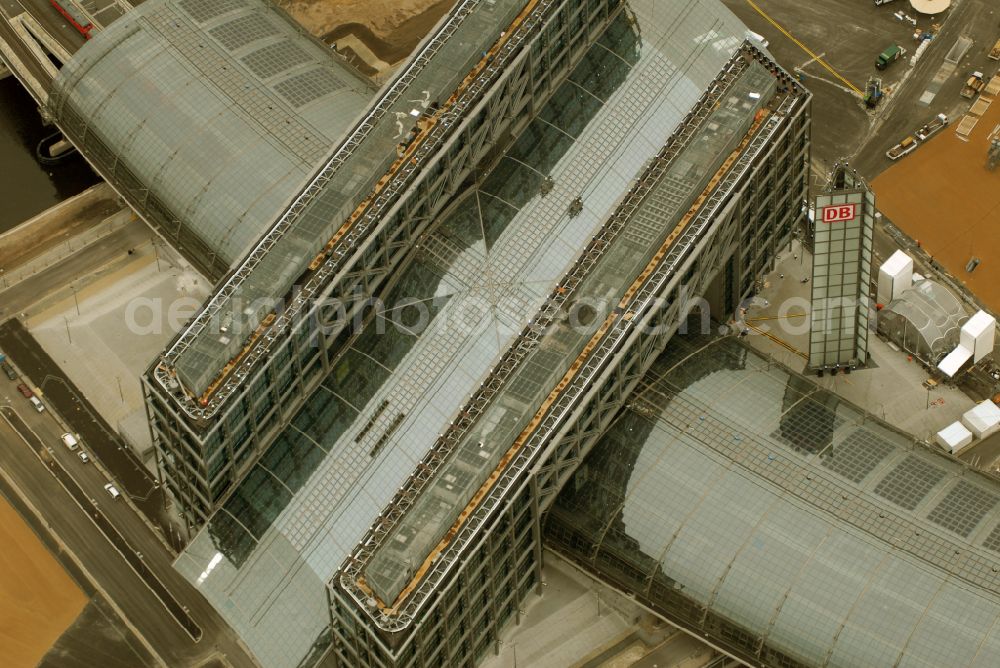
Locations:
(841, 305)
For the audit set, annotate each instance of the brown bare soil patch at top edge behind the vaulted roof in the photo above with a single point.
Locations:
(389, 28)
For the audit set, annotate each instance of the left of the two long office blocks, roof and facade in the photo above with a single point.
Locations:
(250, 360)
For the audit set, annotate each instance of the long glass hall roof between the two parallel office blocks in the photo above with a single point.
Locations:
(454, 309)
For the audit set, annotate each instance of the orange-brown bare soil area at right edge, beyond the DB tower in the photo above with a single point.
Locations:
(943, 195)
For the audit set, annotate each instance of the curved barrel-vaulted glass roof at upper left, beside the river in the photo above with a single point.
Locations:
(215, 111)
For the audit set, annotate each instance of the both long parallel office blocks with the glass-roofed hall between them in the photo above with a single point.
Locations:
(554, 182)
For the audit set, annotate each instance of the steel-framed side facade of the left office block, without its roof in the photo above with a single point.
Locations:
(301, 352)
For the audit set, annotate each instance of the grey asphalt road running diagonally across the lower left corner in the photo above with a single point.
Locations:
(109, 568)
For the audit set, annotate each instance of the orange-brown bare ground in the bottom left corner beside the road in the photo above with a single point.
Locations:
(38, 600)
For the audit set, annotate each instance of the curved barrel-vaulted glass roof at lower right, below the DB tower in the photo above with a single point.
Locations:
(748, 503)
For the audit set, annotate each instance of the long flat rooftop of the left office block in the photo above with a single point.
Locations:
(341, 184)
